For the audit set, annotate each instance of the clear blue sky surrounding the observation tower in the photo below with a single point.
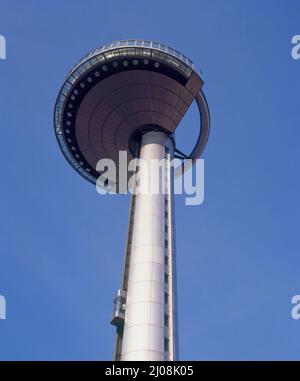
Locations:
(62, 244)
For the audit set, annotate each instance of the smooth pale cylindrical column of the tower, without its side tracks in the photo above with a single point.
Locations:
(144, 328)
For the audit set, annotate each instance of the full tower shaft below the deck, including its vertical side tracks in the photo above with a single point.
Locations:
(148, 331)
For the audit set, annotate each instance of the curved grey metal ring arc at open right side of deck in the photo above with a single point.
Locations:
(202, 137)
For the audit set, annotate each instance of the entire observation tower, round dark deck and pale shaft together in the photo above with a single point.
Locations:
(130, 96)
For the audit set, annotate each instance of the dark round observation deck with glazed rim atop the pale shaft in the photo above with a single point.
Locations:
(116, 91)
